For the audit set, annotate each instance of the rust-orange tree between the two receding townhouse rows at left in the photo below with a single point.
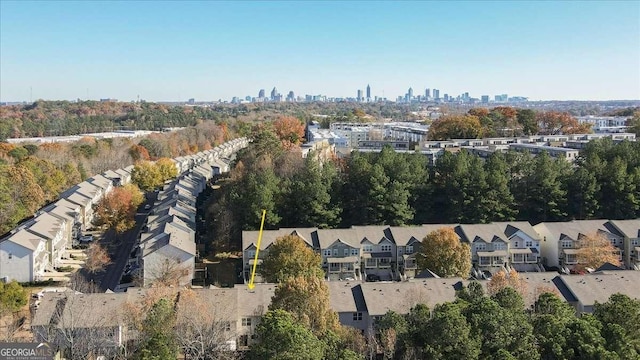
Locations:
(117, 209)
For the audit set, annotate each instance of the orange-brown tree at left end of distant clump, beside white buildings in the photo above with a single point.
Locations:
(455, 127)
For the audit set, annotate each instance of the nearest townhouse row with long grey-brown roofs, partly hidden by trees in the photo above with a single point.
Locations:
(236, 312)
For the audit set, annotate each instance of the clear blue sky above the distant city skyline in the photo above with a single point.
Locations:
(213, 50)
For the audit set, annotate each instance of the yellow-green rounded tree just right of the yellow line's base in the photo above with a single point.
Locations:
(289, 256)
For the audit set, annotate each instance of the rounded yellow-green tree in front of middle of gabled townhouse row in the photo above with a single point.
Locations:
(443, 253)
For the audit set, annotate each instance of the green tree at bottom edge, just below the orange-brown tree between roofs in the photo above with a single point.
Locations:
(282, 337)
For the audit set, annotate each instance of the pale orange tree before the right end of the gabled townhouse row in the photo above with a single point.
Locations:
(594, 251)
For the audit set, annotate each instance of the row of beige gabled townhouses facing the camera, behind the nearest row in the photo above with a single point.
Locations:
(389, 252)
